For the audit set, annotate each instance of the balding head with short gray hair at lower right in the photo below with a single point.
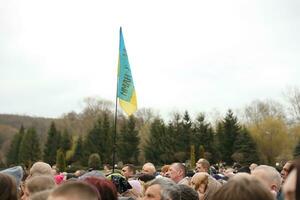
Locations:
(269, 176)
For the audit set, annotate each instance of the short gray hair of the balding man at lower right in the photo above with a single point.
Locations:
(272, 175)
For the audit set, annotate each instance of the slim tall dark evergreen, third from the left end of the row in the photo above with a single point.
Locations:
(52, 145)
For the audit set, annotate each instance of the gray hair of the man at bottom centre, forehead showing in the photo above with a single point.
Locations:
(168, 189)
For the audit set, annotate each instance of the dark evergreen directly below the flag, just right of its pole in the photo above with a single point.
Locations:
(128, 142)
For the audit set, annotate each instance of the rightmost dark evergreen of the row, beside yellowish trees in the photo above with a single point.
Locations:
(246, 147)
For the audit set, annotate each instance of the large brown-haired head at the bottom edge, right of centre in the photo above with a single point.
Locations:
(243, 187)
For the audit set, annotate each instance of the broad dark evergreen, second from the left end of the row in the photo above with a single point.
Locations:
(30, 151)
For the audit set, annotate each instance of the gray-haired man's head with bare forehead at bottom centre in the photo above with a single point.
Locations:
(162, 189)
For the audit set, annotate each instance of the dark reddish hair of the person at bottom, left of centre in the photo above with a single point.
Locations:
(106, 188)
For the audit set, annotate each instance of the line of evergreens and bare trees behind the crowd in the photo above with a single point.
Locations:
(264, 132)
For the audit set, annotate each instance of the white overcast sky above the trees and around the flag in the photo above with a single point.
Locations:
(195, 55)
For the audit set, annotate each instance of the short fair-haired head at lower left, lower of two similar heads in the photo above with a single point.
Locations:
(36, 184)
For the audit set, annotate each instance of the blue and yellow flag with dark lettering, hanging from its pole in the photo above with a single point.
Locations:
(126, 91)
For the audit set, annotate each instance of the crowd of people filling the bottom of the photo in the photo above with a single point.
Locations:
(171, 182)
